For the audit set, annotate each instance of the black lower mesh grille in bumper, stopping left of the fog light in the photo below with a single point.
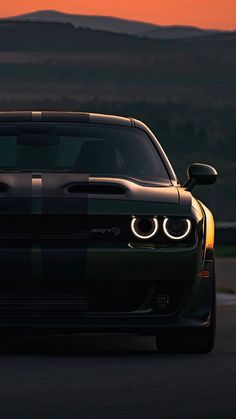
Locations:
(72, 303)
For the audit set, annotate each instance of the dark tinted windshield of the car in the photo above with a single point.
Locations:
(84, 148)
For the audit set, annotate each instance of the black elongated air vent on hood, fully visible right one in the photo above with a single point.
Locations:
(97, 189)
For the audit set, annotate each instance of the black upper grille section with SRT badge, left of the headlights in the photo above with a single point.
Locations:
(65, 227)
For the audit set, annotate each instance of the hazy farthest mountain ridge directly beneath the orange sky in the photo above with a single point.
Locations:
(116, 25)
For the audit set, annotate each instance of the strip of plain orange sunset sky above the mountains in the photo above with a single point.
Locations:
(204, 13)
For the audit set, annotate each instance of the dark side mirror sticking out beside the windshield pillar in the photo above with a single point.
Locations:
(200, 174)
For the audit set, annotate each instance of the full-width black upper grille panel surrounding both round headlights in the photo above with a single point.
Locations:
(100, 229)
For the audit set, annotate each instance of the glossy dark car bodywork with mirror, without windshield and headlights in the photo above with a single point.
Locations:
(59, 265)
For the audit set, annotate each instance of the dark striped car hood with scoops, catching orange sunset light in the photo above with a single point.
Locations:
(71, 188)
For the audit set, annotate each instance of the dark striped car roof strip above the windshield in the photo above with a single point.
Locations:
(49, 116)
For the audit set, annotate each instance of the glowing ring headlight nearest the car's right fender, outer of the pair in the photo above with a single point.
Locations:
(177, 228)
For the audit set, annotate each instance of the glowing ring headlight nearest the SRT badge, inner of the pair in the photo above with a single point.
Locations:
(144, 228)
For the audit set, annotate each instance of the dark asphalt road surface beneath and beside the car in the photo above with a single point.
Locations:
(118, 377)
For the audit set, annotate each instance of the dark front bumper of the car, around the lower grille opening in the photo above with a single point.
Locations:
(55, 269)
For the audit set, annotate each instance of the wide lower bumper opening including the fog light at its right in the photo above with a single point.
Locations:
(165, 297)
